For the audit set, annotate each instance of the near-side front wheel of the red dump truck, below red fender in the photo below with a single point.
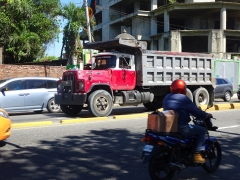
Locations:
(100, 103)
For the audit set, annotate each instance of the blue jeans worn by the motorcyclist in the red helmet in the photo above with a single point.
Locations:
(194, 130)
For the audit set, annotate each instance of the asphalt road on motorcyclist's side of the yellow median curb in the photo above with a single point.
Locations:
(104, 150)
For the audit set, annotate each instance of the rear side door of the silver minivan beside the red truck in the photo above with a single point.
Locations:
(35, 97)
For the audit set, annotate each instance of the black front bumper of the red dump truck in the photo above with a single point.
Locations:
(70, 98)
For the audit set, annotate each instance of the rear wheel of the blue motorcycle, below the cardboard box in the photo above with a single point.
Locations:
(159, 165)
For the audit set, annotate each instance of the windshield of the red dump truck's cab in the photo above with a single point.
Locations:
(105, 61)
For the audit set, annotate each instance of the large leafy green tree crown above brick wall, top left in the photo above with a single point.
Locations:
(26, 27)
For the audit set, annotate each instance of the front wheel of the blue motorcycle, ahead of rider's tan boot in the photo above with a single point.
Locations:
(214, 157)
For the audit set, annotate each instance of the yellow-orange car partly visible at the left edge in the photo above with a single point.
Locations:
(5, 126)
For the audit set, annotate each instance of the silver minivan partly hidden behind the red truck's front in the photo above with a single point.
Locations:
(28, 94)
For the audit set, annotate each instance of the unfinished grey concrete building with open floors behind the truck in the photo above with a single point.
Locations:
(205, 26)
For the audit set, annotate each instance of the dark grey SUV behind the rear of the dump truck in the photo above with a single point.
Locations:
(223, 89)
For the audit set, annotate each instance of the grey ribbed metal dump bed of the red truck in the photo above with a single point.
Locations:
(162, 67)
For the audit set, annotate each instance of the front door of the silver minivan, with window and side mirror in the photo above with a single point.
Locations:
(12, 96)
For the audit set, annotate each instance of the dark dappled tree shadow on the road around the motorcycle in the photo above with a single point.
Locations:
(100, 155)
